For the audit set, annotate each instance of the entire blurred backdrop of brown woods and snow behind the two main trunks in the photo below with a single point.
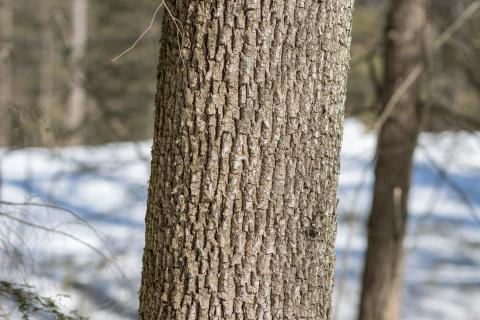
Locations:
(75, 130)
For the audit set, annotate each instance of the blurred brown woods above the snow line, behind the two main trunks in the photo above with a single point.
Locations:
(48, 62)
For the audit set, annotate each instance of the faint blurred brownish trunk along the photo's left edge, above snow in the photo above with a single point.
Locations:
(6, 73)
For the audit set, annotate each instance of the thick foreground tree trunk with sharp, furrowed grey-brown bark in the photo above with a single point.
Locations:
(241, 216)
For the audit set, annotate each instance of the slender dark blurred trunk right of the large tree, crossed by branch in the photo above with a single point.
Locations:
(397, 139)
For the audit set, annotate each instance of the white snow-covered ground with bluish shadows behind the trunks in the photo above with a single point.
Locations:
(94, 252)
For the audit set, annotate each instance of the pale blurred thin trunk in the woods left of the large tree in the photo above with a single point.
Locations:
(78, 97)
